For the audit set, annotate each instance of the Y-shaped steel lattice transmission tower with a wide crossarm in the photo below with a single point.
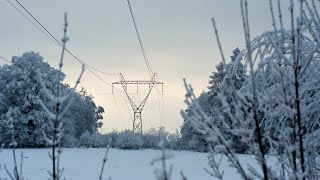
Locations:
(137, 110)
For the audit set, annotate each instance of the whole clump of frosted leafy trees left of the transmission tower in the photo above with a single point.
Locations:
(21, 92)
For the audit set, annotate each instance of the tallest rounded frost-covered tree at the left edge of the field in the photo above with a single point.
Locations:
(20, 92)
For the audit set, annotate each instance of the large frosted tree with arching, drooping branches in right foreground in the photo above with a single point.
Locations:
(276, 108)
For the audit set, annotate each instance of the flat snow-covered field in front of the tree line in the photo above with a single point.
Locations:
(121, 165)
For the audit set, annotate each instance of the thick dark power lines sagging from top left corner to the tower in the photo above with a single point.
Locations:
(56, 40)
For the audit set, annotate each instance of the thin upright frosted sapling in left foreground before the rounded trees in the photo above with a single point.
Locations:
(62, 99)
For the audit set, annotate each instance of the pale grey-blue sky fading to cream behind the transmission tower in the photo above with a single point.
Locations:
(177, 35)
